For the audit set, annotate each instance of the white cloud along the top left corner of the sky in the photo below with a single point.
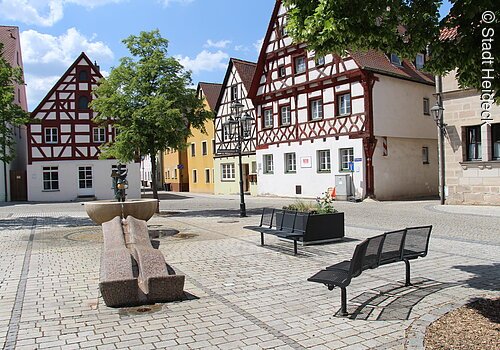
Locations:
(41, 12)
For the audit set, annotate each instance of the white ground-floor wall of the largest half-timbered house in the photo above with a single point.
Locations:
(313, 182)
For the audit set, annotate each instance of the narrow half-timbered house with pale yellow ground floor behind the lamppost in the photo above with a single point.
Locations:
(234, 93)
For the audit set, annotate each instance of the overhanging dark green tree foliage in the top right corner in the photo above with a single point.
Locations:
(405, 27)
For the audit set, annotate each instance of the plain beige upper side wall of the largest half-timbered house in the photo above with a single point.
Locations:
(398, 109)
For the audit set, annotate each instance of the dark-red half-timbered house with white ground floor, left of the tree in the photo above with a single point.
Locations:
(63, 143)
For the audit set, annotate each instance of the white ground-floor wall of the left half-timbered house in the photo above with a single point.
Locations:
(68, 180)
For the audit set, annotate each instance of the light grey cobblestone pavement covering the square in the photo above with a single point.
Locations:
(241, 295)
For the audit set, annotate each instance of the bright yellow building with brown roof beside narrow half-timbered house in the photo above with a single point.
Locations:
(201, 146)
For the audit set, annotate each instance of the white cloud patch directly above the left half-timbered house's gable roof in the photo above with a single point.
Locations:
(47, 57)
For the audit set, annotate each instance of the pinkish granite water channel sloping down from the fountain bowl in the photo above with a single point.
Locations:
(132, 271)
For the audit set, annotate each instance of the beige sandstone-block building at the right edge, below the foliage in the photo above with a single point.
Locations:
(472, 147)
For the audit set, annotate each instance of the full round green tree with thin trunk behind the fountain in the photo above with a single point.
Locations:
(148, 99)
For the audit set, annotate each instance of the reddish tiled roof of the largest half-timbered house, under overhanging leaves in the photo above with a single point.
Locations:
(378, 62)
